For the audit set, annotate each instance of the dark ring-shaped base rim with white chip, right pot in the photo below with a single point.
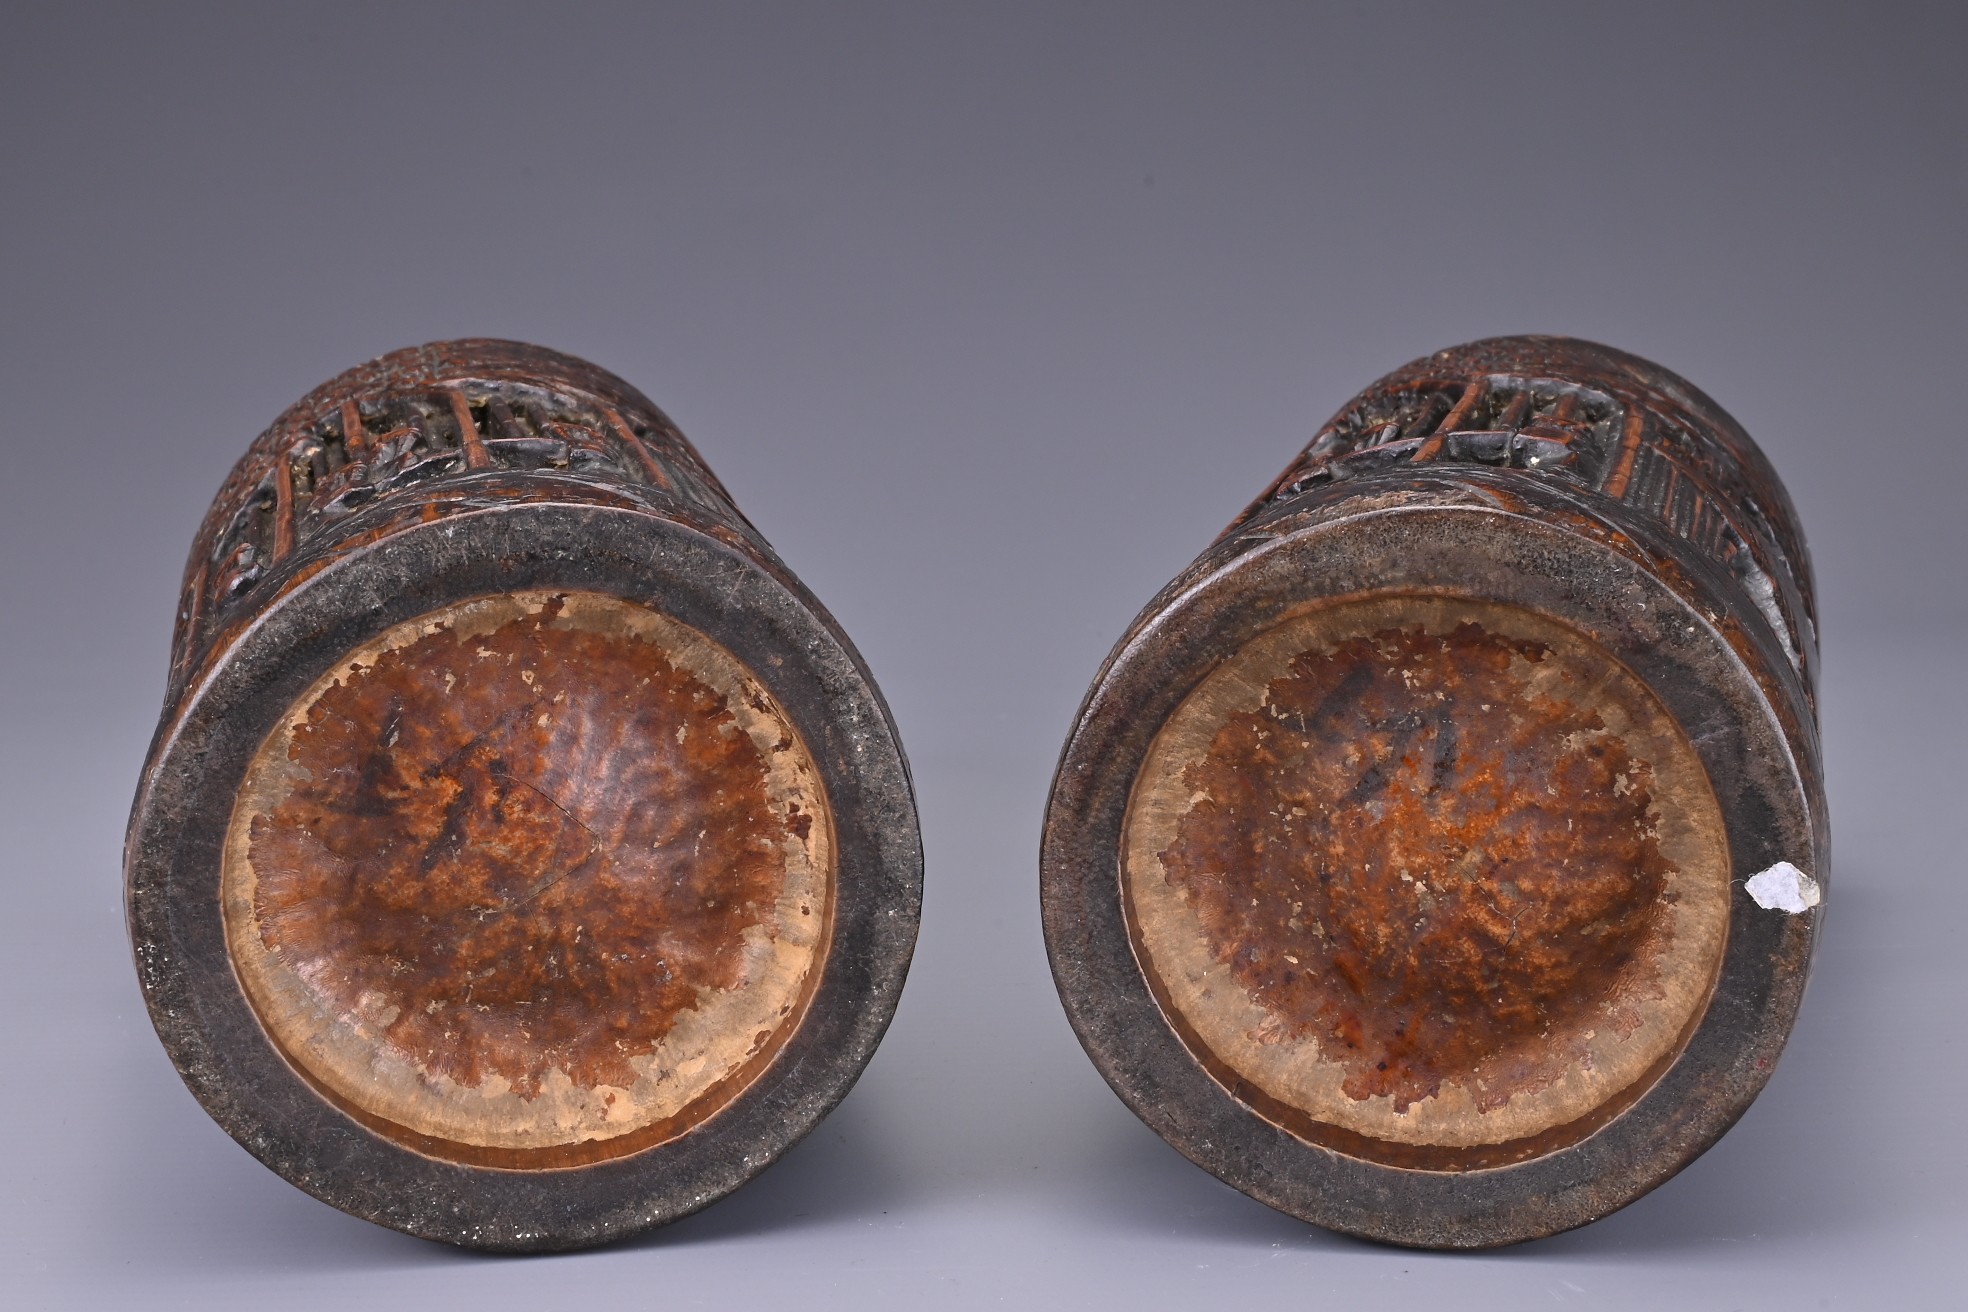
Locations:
(1239, 591)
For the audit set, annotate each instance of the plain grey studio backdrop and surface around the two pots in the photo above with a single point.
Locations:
(991, 318)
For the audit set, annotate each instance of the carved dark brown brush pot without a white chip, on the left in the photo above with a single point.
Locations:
(524, 859)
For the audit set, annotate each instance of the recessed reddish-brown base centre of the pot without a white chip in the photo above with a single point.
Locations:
(532, 880)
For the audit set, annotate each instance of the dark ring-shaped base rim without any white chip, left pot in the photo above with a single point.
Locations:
(184, 805)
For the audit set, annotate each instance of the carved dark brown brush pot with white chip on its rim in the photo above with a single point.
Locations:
(1440, 857)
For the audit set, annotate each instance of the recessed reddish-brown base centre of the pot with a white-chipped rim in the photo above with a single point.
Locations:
(1428, 874)
